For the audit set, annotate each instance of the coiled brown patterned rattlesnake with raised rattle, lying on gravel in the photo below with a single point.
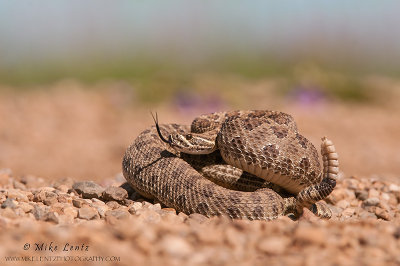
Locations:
(243, 164)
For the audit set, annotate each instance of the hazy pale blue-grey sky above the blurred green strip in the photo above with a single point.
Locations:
(196, 30)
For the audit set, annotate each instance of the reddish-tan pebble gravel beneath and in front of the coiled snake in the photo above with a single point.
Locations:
(83, 222)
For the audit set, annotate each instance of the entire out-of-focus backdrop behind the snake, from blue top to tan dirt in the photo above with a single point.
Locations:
(78, 79)
